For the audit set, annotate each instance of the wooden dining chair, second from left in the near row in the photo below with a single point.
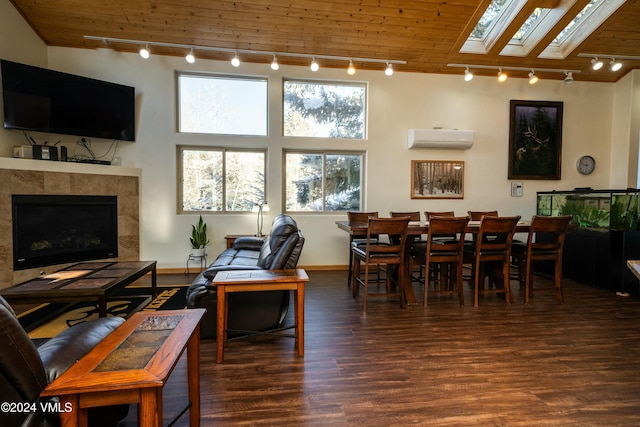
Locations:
(444, 253)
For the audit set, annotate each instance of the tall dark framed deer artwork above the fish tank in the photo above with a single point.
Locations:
(535, 140)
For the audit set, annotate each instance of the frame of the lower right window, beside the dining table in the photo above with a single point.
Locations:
(324, 153)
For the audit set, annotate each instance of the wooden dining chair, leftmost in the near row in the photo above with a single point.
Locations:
(377, 253)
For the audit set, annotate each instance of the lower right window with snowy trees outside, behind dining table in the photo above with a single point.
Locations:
(323, 181)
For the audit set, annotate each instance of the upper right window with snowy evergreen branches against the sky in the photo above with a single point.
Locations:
(324, 109)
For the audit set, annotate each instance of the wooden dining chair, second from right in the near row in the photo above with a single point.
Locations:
(493, 245)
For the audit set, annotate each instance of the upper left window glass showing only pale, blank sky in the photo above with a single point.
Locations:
(222, 104)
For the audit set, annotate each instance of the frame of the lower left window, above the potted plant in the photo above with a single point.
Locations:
(223, 149)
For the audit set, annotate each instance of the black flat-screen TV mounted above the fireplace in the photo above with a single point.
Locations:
(41, 100)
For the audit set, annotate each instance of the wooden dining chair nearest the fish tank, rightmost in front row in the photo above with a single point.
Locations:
(545, 242)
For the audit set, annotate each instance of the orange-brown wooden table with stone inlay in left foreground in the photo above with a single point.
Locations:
(132, 365)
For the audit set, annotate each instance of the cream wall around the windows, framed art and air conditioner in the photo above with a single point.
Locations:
(397, 103)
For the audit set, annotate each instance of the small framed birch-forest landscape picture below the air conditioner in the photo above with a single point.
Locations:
(437, 179)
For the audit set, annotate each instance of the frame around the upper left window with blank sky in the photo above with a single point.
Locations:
(238, 77)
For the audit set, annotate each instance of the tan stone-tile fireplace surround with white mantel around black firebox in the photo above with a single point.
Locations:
(27, 176)
